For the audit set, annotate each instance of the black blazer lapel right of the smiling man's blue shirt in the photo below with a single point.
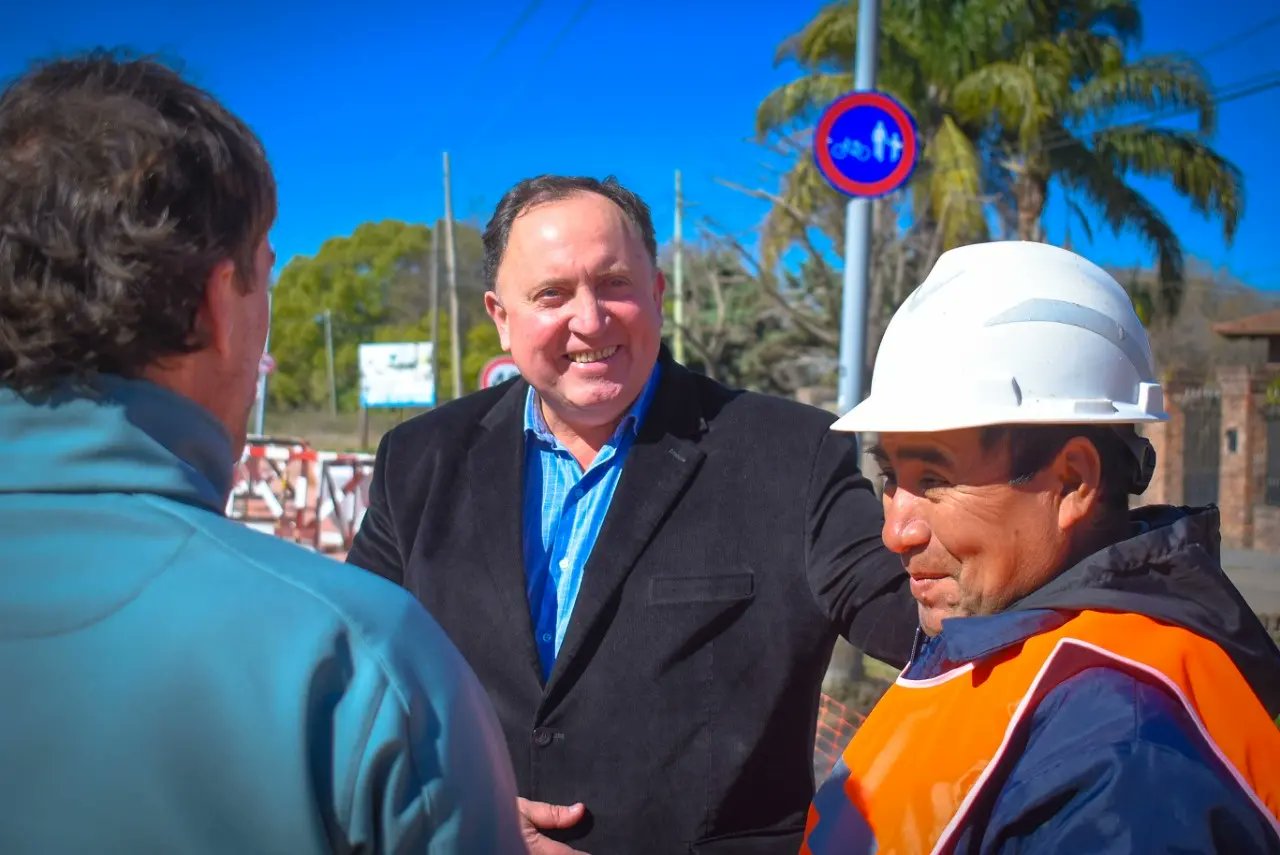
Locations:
(660, 465)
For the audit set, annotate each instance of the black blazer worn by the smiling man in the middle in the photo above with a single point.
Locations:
(683, 706)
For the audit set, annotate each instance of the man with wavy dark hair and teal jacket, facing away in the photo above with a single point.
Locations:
(175, 682)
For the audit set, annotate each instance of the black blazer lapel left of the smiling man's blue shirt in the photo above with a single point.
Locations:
(496, 465)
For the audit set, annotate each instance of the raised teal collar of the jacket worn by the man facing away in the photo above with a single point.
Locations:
(115, 436)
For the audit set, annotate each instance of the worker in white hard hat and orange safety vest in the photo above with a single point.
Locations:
(1086, 679)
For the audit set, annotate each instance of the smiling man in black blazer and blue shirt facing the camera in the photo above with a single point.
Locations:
(647, 570)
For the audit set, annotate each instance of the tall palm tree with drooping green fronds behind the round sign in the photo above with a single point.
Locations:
(1009, 99)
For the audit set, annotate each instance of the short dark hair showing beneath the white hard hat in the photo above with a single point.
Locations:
(1034, 447)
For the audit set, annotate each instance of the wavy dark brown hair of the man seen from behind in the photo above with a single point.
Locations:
(122, 186)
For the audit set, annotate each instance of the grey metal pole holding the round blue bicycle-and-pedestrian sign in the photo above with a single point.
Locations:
(858, 237)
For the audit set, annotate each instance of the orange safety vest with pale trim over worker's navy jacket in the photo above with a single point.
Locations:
(932, 748)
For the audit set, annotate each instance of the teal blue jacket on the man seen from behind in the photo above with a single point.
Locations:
(176, 683)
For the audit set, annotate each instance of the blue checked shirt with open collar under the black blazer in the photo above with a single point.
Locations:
(565, 509)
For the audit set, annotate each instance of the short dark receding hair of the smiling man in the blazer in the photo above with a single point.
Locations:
(552, 189)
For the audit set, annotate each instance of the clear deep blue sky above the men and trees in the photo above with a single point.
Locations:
(356, 102)
